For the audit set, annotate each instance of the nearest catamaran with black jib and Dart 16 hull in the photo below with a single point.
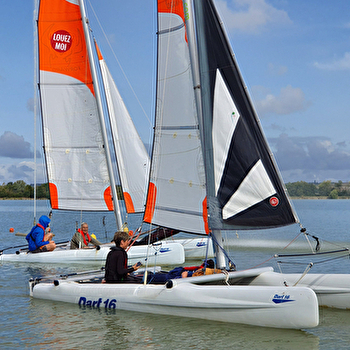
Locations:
(202, 181)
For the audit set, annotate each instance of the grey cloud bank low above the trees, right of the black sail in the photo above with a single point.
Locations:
(309, 159)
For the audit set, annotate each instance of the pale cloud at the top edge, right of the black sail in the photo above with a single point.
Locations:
(251, 16)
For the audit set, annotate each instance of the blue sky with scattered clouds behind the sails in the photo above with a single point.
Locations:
(294, 56)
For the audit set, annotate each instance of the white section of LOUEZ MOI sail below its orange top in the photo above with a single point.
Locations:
(76, 160)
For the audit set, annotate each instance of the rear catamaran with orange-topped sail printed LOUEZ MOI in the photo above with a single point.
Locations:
(76, 146)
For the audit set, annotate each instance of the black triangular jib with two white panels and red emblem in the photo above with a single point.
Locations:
(237, 197)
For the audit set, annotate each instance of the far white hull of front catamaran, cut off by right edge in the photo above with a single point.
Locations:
(332, 290)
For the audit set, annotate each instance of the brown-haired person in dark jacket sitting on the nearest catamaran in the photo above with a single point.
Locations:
(116, 269)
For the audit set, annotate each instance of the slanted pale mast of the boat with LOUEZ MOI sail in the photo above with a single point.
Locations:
(101, 115)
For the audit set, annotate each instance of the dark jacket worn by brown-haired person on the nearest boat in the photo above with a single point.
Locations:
(116, 269)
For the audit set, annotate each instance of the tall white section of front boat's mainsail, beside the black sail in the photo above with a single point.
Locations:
(177, 164)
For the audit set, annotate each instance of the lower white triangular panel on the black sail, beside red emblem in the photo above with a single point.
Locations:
(255, 188)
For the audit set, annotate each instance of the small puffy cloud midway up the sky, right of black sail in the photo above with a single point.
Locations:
(290, 100)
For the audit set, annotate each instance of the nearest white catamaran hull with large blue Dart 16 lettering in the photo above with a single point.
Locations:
(204, 297)
